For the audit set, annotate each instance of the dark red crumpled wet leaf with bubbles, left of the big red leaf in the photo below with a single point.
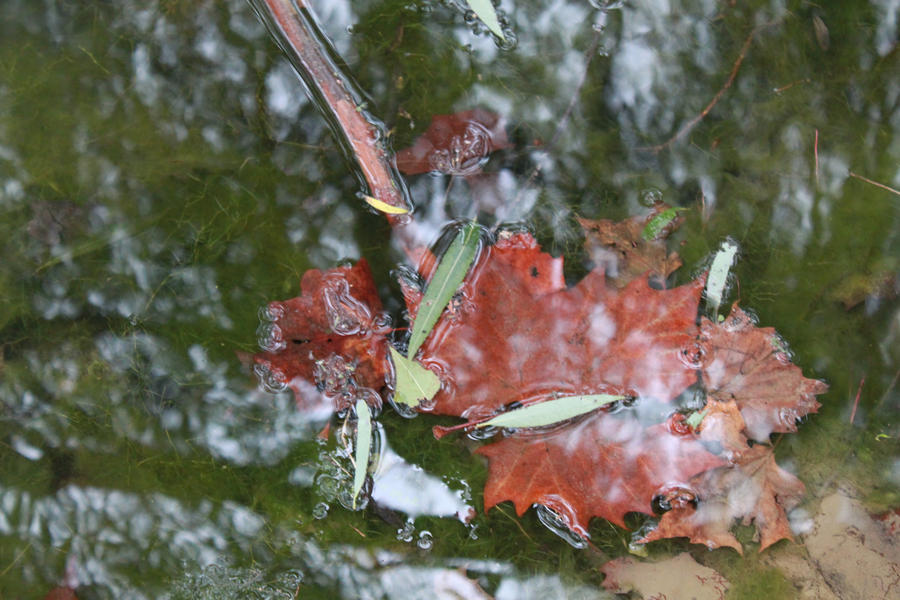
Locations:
(328, 345)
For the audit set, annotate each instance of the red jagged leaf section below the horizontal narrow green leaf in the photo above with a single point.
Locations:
(603, 466)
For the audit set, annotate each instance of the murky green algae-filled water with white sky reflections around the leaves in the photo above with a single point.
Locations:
(163, 176)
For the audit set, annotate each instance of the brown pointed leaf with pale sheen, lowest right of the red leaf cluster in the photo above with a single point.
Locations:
(754, 489)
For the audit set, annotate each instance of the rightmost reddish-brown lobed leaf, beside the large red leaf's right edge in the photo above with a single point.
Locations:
(747, 364)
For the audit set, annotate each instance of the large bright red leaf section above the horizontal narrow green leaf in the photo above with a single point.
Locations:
(518, 333)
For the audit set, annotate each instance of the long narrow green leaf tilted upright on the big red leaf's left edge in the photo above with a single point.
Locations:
(447, 277)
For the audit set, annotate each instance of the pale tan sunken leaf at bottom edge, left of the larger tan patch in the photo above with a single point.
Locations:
(676, 578)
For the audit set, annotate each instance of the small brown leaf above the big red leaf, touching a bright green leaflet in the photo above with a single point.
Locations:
(618, 248)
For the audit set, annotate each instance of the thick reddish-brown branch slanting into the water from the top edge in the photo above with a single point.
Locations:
(360, 135)
